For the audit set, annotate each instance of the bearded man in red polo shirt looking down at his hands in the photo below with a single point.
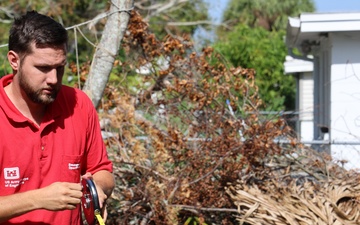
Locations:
(50, 134)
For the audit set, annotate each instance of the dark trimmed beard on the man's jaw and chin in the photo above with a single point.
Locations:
(36, 95)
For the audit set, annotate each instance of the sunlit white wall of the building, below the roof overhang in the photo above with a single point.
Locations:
(345, 97)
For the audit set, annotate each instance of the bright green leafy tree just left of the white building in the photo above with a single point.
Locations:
(265, 51)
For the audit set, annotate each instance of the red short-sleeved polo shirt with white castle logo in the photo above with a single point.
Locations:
(67, 145)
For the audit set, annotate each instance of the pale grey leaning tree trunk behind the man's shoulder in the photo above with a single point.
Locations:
(107, 50)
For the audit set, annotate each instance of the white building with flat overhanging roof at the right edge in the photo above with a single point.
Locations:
(333, 39)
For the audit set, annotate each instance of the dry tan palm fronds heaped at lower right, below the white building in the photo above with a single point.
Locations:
(319, 198)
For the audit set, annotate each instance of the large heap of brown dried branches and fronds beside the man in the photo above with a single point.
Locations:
(181, 155)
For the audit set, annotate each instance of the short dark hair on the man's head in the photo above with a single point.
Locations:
(35, 28)
